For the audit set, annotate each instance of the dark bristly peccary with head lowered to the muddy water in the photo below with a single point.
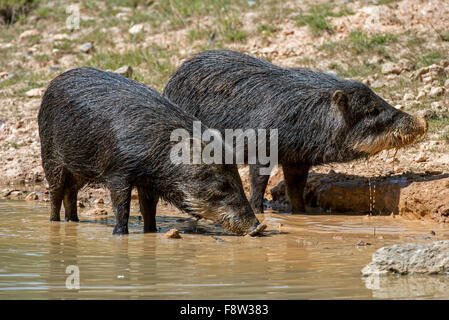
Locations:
(100, 127)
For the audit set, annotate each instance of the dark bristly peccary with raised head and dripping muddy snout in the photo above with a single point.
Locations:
(320, 118)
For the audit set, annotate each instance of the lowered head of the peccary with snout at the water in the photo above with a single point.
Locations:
(215, 192)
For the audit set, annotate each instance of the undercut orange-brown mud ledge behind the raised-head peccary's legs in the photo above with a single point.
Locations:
(412, 196)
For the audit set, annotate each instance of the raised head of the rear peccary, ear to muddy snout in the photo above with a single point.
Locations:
(373, 124)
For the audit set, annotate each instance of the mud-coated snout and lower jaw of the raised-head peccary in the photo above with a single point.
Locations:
(397, 138)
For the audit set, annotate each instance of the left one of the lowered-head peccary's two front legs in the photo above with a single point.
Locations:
(121, 199)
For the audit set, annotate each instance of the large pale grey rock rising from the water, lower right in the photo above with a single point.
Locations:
(417, 258)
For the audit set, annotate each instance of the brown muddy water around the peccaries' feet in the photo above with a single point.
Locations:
(300, 257)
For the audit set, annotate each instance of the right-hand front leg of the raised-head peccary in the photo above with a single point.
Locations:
(295, 181)
